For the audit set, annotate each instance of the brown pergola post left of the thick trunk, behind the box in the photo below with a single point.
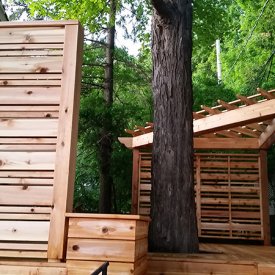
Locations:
(135, 181)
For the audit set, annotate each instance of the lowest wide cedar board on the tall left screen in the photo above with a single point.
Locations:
(24, 231)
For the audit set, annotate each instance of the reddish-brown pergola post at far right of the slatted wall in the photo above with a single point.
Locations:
(264, 197)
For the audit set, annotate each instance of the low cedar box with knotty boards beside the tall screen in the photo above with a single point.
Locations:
(95, 238)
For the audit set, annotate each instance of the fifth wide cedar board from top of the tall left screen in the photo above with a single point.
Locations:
(27, 160)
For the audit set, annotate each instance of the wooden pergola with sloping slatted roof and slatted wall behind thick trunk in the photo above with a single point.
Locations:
(231, 188)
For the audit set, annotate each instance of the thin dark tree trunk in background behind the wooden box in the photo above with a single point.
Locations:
(106, 141)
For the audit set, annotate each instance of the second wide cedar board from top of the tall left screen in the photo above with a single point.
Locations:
(50, 64)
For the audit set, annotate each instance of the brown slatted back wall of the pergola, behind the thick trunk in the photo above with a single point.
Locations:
(228, 194)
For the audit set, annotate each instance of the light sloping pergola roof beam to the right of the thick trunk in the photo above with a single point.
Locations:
(241, 116)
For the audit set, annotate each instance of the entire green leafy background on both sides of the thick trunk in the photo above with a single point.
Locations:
(245, 27)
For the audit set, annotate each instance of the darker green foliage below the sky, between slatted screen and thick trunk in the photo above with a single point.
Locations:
(132, 104)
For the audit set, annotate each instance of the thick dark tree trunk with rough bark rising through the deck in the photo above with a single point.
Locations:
(173, 227)
